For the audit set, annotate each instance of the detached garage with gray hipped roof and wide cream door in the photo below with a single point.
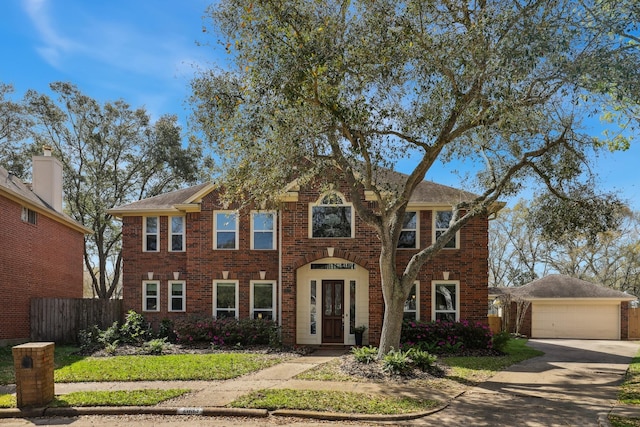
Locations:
(564, 307)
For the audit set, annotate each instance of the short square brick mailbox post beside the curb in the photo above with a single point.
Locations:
(33, 364)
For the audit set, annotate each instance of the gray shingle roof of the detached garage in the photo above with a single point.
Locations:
(561, 286)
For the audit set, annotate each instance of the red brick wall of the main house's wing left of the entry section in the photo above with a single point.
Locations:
(199, 266)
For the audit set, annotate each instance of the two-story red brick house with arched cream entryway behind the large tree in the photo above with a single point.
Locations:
(312, 265)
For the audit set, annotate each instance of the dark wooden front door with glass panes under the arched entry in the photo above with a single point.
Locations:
(333, 312)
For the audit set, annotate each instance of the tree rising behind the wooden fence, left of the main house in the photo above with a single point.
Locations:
(111, 153)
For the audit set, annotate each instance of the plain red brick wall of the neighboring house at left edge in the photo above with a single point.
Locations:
(42, 260)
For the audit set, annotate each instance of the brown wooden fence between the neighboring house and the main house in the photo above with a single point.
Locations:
(60, 319)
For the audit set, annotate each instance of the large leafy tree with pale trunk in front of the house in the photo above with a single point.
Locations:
(502, 85)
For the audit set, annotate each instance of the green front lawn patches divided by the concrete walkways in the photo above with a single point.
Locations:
(74, 368)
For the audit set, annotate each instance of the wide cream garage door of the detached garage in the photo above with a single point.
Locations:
(572, 320)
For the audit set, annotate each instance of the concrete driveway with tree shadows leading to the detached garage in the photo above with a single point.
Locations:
(575, 383)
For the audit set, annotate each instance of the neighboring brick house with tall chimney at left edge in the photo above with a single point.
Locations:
(42, 248)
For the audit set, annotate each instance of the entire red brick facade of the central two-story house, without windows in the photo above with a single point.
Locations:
(200, 265)
